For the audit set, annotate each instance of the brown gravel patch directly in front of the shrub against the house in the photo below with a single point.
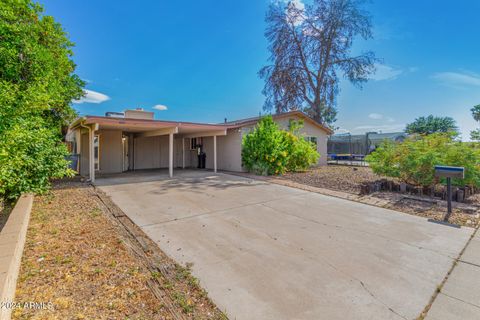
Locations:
(341, 178)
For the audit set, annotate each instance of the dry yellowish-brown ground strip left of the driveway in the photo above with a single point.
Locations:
(84, 265)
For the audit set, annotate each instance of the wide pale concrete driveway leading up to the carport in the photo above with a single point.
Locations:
(265, 251)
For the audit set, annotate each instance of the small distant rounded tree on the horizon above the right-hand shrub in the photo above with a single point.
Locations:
(431, 124)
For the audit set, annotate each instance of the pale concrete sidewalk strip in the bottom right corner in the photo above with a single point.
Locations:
(459, 299)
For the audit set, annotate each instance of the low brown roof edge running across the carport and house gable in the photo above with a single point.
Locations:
(139, 125)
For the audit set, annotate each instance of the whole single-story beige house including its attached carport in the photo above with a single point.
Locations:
(134, 140)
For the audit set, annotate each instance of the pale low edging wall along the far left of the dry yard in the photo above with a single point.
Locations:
(12, 241)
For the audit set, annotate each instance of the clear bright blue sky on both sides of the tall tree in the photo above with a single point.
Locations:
(200, 59)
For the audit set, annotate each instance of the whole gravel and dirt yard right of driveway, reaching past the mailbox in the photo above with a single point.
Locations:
(348, 179)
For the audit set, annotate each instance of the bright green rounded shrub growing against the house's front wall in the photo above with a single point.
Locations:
(269, 150)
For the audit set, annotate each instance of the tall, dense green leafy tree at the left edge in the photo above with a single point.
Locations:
(37, 85)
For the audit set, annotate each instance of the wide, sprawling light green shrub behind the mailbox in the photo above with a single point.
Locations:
(413, 161)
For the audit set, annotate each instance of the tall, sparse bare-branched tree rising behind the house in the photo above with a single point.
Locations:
(310, 49)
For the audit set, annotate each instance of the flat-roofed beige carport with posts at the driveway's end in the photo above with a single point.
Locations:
(114, 145)
